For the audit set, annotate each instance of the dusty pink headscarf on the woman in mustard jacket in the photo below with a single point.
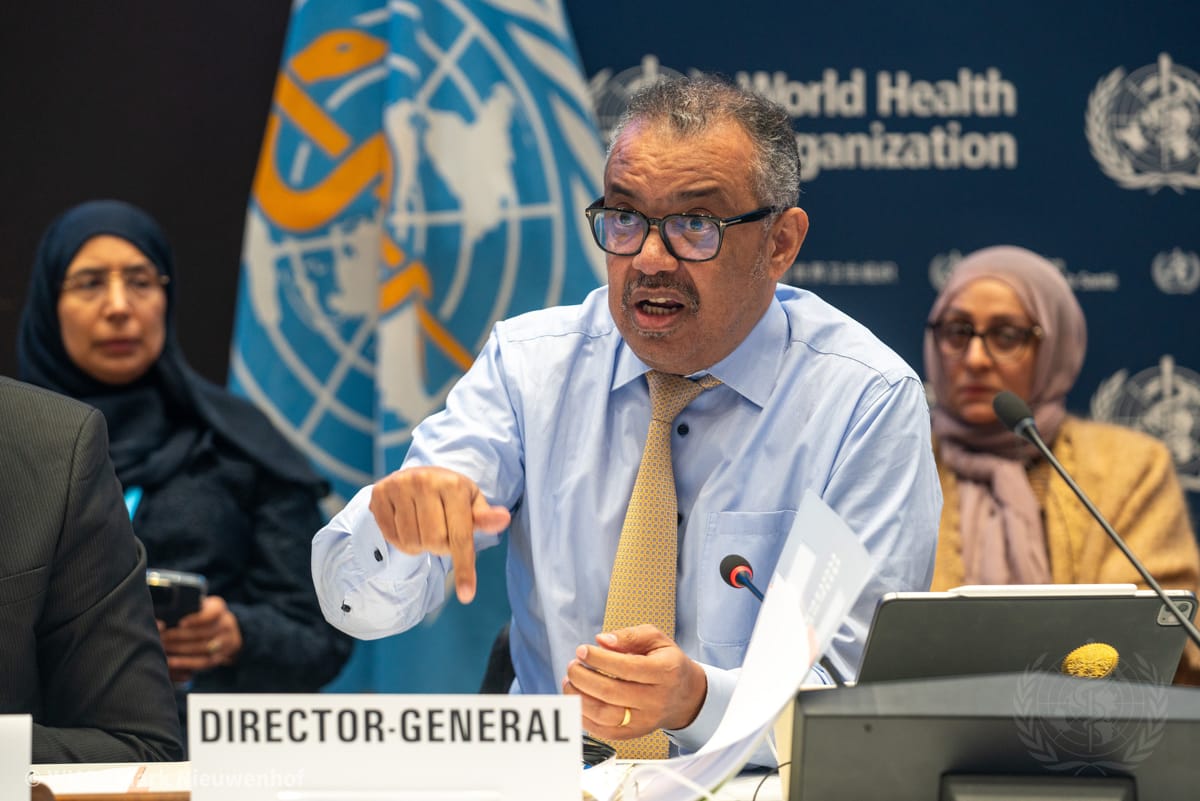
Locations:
(1004, 539)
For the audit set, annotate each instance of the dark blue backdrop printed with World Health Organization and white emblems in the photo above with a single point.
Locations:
(1082, 143)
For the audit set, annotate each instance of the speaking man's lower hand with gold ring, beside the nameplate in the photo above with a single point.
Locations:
(639, 670)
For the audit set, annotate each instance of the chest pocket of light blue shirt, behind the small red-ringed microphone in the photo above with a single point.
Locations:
(727, 617)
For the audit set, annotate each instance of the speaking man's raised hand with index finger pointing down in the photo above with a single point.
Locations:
(437, 511)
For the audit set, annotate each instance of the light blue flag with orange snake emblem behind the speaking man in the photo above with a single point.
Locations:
(423, 176)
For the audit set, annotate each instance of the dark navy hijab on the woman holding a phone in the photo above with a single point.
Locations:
(155, 421)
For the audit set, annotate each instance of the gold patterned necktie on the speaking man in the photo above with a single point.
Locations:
(643, 588)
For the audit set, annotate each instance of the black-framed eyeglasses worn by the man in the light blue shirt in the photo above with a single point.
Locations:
(688, 238)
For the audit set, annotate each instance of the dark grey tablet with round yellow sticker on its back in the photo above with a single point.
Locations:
(1017, 629)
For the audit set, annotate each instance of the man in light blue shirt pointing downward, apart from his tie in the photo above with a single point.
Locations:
(544, 435)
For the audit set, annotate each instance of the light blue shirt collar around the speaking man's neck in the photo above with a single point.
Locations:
(749, 371)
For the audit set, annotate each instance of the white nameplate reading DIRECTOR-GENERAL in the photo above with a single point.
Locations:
(335, 748)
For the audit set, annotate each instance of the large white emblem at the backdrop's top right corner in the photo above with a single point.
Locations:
(1144, 129)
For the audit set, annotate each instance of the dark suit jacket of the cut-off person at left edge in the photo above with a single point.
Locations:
(79, 646)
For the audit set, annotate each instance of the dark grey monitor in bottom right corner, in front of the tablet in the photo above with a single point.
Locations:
(1005, 734)
